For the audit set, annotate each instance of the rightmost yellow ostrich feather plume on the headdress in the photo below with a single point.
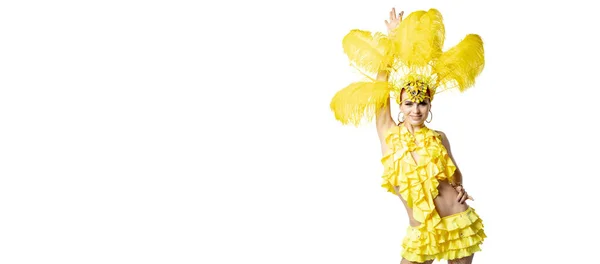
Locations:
(459, 66)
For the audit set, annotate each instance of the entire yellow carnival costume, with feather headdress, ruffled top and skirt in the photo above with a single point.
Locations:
(412, 55)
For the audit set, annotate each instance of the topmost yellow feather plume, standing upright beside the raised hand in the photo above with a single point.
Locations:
(419, 38)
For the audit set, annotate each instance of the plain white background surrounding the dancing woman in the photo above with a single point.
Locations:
(181, 132)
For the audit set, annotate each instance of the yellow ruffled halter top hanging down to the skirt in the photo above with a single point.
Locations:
(417, 182)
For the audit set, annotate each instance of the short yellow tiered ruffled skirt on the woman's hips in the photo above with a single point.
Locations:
(456, 236)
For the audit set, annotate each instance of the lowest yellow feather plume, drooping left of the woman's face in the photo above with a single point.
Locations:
(359, 101)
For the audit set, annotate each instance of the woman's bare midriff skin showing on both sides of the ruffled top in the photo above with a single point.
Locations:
(445, 203)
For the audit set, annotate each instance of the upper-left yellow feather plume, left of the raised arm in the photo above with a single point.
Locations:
(367, 51)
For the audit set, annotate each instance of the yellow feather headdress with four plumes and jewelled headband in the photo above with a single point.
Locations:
(413, 57)
